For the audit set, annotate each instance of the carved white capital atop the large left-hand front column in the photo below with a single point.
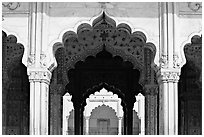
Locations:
(40, 75)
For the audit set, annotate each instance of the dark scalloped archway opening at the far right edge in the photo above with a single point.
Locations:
(190, 90)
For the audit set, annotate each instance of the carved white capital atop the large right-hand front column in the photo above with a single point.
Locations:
(168, 75)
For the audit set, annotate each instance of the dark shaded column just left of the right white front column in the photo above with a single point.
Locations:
(151, 93)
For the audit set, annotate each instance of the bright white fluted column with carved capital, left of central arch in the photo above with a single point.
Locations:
(39, 91)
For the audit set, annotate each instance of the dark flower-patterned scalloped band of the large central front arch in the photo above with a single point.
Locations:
(104, 34)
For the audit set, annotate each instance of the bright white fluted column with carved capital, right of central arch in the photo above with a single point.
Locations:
(168, 105)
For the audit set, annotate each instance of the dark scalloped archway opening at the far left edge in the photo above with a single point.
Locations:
(15, 88)
